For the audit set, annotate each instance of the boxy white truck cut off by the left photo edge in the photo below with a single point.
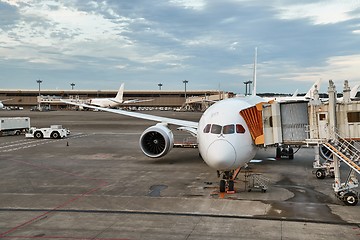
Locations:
(14, 125)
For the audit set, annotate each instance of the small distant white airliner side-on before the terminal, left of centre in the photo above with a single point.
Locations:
(113, 102)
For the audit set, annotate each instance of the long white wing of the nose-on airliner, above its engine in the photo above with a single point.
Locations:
(186, 124)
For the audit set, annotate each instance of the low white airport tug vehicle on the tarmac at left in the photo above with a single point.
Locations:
(54, 131)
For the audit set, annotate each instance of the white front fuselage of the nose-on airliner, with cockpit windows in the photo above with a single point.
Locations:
(224, 140)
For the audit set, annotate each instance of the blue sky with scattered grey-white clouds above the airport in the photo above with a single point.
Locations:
(97, 45)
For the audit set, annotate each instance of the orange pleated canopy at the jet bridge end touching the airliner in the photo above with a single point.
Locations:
(253, 119)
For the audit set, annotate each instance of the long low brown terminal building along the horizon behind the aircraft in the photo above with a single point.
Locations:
(159, 98)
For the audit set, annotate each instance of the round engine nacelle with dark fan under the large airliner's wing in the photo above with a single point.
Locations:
(156, 141)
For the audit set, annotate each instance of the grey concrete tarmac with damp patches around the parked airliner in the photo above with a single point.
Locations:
(97, 184)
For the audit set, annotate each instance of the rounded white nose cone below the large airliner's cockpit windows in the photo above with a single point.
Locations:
(221, 155)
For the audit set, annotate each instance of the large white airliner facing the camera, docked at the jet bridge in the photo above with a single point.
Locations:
(223, 136)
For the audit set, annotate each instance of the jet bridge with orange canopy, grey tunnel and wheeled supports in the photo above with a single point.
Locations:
(332, 126)
